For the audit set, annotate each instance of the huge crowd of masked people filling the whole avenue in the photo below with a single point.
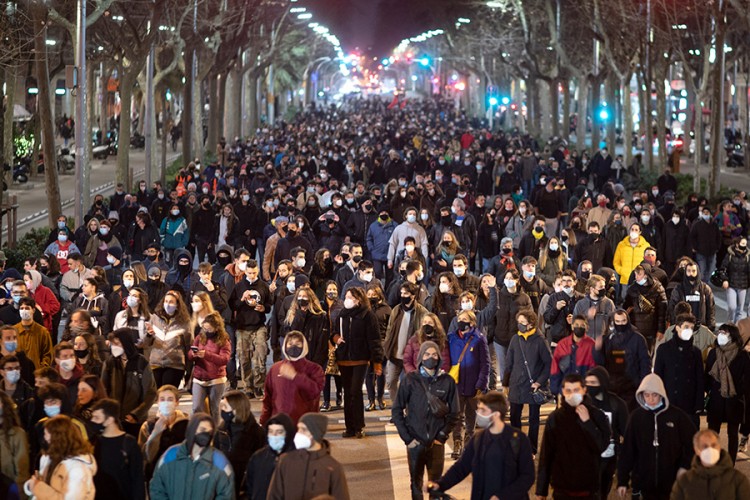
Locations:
(461, 275)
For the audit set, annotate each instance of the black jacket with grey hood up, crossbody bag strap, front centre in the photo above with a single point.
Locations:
(411, 410)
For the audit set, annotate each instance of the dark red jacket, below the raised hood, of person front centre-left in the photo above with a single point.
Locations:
(293, 397)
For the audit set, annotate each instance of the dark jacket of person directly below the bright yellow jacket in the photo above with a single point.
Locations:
(648, 307)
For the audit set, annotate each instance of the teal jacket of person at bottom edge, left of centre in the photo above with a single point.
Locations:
(177, 475)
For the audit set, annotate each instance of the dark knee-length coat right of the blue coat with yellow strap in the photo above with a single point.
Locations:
(516, 377)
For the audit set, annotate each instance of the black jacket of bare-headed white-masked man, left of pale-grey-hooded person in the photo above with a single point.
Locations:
(571, 449)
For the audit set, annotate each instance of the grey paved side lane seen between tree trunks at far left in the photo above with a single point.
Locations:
(32, 197)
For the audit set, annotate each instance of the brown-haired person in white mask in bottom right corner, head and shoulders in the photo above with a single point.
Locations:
(712, 475)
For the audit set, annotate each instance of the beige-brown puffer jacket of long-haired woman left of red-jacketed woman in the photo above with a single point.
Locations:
(167, 347)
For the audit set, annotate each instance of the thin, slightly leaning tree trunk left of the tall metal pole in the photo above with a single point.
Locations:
(44, 99)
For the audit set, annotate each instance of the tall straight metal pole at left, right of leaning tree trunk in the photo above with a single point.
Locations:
(80, 109)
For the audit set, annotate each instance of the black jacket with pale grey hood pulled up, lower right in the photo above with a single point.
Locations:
(658, 442)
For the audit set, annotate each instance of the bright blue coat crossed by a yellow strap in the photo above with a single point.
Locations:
(475, 366)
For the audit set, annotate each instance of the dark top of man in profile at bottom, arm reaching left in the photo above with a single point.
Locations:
(510, 479)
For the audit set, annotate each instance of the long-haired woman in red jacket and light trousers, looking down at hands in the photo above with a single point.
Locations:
(210, 354)
